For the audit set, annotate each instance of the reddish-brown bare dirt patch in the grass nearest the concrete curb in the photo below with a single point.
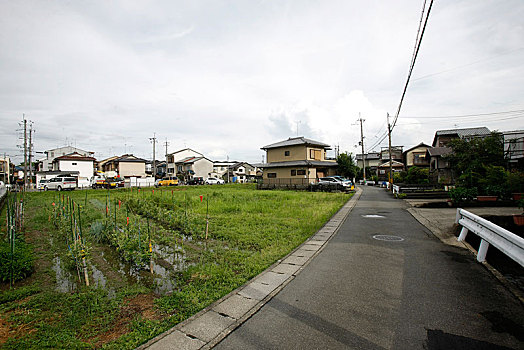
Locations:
(141, 305)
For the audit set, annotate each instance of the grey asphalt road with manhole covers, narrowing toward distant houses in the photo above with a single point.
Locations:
(365, 293)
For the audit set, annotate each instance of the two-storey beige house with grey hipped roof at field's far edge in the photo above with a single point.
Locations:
(298, 161)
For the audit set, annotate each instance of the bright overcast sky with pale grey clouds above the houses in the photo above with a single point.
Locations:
(226, 78)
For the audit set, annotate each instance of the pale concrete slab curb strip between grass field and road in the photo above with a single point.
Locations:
(211, 325)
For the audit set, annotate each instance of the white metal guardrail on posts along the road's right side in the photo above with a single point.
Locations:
(504, 240)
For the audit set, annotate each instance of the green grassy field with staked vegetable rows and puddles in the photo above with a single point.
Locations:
(147, 258)
